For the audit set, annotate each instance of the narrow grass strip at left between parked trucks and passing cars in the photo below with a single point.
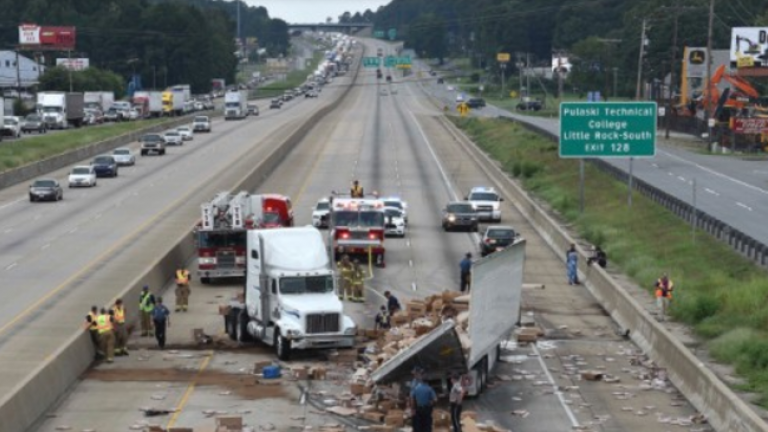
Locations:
(31, 149)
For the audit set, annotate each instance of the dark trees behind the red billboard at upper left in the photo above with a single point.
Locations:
(166, 42)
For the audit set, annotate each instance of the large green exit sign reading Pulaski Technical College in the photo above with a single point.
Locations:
(607, 129)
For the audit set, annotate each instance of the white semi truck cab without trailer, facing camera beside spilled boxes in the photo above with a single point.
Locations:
(291, 300)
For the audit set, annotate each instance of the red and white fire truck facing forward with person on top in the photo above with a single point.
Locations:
(357, 227)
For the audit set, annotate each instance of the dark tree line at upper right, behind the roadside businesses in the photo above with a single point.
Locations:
(601, 37)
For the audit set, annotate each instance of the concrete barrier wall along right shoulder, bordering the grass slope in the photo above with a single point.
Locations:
(725, 411)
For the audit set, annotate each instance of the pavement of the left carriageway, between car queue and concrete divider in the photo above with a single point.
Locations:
(57, 259)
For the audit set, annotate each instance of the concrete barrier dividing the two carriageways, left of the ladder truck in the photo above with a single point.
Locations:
(29, 401)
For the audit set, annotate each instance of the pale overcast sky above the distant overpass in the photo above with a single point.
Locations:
(313, 11)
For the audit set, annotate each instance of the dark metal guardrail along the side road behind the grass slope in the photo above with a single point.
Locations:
(739, 241)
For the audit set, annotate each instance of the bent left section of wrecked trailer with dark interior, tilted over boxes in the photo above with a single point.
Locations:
(438, 352)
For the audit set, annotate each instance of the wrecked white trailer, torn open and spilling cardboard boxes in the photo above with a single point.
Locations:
(494, 311)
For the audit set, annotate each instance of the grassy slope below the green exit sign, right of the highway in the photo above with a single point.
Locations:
(718, 293)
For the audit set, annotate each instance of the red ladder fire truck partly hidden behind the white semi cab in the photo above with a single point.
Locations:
(220, 236)
